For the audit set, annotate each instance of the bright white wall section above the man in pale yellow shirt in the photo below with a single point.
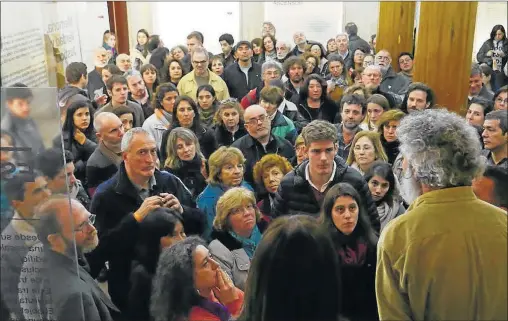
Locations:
(171, 20)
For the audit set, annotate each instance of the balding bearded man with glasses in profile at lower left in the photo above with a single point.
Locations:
(66, 232)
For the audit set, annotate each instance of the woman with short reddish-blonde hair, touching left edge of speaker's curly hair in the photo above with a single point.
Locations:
(387, 128)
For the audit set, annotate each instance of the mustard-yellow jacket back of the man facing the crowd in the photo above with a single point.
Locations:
(445, 259)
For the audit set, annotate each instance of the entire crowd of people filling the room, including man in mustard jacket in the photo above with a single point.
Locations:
(267, 182)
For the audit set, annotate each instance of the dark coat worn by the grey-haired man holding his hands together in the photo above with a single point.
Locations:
(114, 203)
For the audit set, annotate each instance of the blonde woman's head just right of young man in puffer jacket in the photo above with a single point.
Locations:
(365, 149)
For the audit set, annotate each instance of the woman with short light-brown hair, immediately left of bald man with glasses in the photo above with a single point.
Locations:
(229, 124)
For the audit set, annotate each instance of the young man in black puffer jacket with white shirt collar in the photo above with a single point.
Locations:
(302, 190)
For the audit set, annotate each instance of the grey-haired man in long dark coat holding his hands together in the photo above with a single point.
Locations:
(123, 201)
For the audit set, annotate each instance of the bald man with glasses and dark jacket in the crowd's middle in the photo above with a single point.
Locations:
(260, 141)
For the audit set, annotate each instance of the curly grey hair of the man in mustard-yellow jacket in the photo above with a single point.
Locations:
(441, 148)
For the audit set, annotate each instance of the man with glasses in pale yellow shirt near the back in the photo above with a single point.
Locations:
(201, 75)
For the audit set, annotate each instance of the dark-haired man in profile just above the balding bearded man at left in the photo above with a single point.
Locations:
(59, 173)
